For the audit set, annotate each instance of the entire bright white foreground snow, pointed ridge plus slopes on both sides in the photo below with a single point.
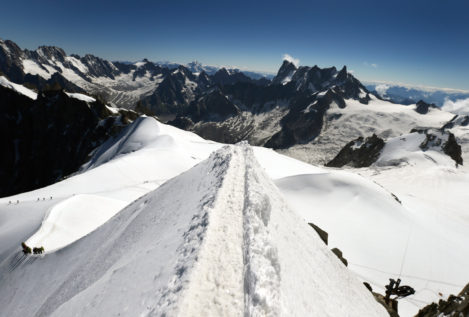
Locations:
(161, 221)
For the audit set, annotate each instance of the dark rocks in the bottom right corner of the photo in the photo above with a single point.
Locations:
(454, 306)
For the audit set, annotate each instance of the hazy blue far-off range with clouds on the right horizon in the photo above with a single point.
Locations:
(410, 95)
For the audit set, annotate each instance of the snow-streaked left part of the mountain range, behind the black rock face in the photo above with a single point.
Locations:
(161, 88)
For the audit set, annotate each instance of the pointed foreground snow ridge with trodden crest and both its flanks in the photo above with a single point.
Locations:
(199, 245)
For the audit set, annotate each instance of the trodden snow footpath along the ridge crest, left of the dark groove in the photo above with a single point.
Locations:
(216, 287)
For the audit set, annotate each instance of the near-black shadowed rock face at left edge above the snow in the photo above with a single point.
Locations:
(49, 138)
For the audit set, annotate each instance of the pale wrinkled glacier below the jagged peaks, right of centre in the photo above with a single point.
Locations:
(381, 117)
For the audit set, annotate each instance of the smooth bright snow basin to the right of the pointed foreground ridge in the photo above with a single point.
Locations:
(423, 240)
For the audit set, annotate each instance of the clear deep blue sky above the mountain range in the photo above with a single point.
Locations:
(414, 42)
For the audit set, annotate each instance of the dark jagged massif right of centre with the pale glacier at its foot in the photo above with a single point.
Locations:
(307, 112)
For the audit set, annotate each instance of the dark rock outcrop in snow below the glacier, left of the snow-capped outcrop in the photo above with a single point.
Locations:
(359, 153)
